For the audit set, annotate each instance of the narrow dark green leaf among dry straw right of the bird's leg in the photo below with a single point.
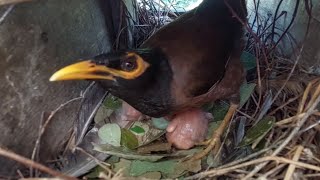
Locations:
(257, 132)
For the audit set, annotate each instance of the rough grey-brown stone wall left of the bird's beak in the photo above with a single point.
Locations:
(36, 39)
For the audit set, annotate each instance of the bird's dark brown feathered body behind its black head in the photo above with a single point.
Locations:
(203, 48)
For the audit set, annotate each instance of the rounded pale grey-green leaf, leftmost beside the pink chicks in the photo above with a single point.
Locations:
(110, 134)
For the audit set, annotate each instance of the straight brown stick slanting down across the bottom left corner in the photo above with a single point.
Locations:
(29, 162)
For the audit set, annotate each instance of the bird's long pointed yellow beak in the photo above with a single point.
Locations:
(83, 70)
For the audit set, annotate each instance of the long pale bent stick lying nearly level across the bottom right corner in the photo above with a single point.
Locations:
(219, 171)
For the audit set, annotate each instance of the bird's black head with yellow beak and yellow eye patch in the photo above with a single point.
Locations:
(126, 69)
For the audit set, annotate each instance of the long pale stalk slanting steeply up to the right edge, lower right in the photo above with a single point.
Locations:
(293, 133)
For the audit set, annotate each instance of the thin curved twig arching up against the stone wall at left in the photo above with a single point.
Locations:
(43, 128)
